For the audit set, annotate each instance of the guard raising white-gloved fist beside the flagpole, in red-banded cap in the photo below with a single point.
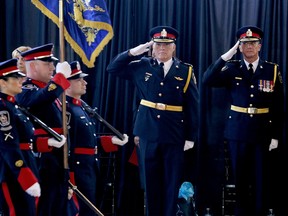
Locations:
(40, 95)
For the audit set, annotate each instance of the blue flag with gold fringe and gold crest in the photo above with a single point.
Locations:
(87, 25)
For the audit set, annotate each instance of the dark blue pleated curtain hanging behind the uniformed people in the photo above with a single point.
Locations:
(207, 30)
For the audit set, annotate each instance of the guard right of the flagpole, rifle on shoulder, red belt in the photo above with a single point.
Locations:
(83, 157)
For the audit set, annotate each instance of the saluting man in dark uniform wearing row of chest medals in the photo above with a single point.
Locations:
(254, 124)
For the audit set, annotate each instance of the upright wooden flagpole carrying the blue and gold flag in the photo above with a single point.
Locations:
(62, 58)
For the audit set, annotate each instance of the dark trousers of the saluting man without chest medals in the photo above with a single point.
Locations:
(163, 169)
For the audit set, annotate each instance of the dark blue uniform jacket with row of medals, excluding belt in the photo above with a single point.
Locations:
(263, 90)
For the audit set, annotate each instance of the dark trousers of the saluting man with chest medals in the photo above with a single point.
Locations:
(249, 169)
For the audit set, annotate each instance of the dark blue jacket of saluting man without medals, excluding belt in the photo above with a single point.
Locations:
(169, 126)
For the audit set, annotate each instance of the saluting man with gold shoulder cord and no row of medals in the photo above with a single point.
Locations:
(166, 122)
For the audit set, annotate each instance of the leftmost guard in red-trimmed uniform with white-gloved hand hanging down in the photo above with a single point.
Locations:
(19, 175)
